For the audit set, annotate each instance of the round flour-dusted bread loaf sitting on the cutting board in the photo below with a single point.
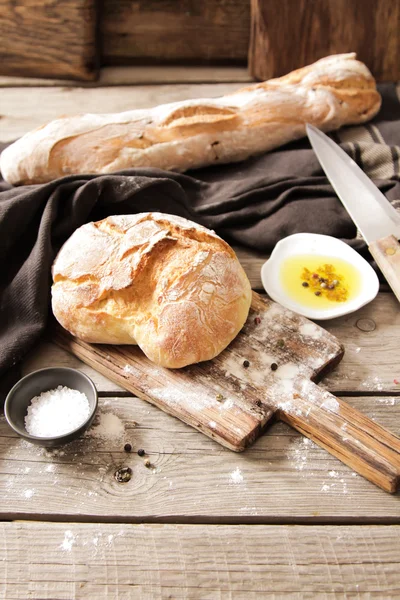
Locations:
(169, 285)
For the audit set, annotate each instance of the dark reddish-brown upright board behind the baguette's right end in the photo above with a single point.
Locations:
(312, 30)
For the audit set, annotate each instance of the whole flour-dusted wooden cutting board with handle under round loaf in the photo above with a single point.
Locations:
(269, 370)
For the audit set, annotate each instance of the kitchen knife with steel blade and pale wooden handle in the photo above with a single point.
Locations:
(377, 220)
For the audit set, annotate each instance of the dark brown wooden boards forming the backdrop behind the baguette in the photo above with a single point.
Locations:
(69, 38)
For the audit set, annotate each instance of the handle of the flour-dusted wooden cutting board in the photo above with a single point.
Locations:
(346, 433)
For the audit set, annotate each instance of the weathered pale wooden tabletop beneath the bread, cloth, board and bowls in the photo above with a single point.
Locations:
(283, 519)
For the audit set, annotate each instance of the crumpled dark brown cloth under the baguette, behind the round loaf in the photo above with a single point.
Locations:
(254, 203)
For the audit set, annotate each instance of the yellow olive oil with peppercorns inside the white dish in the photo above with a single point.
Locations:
(319, 281)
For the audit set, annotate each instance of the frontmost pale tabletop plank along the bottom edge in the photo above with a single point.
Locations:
(57, 561)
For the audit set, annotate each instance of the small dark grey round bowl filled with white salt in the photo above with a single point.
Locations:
(51, 407)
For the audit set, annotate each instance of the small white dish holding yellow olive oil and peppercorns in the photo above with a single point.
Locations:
(318, 276)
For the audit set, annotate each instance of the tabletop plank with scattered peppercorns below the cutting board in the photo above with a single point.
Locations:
(282, 478)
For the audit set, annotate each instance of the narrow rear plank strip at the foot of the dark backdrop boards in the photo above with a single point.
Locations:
(139, 75)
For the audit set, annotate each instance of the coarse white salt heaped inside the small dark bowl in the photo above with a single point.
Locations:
(56, 412)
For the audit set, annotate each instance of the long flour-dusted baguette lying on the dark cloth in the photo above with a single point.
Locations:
(336, 90)
